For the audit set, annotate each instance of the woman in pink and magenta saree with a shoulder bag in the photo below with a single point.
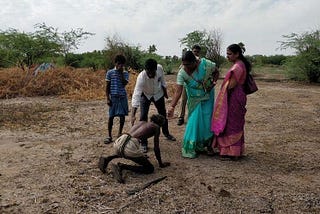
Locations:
(230, 107)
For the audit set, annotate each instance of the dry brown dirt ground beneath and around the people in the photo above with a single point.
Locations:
(49, 150)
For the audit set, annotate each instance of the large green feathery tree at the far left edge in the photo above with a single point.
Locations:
(26, 49)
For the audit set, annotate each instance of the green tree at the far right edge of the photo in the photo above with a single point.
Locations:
(306, 64)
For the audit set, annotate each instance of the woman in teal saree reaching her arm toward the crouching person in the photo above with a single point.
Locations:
(198, 76)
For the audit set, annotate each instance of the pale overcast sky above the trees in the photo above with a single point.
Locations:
(259, 24)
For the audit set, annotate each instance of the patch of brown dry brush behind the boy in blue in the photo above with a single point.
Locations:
(68, 83)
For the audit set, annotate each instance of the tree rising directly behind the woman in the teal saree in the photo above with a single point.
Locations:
(209, 41)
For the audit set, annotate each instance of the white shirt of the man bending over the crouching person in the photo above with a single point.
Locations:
(150, 87)
